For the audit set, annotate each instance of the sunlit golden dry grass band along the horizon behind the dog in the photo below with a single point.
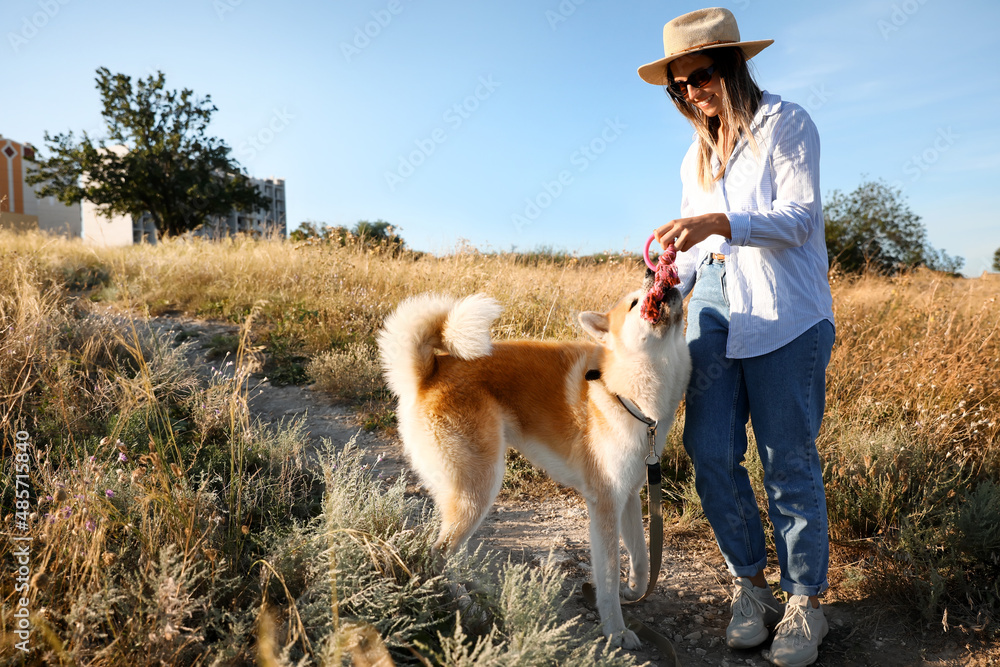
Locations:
(336, 294)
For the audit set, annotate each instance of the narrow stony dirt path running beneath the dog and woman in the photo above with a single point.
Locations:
(691, 602)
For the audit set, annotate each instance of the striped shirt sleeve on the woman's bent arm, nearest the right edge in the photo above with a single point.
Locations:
(796, 208)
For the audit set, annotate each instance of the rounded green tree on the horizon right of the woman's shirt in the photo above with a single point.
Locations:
(874, 228)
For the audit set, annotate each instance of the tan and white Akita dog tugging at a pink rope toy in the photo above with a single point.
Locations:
(463, 399)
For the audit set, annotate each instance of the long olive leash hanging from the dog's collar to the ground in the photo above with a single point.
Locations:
(654, 504)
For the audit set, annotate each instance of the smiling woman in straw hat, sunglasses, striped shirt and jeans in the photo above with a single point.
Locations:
(752, 253)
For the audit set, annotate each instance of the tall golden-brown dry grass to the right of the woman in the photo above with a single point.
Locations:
(912, 441)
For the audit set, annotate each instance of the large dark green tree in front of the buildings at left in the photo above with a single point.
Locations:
(157, 158)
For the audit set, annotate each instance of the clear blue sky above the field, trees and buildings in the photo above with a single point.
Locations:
(451, 119)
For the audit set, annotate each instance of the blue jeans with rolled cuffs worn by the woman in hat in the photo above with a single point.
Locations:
(784, 392)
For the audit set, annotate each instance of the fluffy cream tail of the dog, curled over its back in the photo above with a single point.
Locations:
(429, 322)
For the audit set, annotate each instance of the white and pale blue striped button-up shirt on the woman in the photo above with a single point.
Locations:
(776, 261)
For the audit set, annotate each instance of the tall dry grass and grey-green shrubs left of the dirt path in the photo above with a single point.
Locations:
(170, 527)
